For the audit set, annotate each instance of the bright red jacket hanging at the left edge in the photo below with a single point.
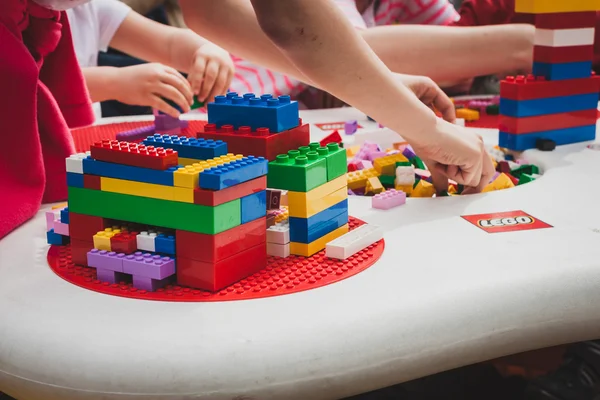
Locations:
(43, 94)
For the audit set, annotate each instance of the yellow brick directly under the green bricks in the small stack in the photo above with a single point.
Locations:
(306, 204)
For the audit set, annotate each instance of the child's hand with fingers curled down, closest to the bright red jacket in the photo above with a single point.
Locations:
(150, 84)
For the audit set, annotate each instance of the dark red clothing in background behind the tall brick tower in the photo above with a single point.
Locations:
(494, 12)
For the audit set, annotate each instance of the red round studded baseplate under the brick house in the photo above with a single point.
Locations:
(281, 276)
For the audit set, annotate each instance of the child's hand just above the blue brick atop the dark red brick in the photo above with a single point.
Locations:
(211, 72)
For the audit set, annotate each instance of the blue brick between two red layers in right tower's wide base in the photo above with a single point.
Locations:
(549, 105)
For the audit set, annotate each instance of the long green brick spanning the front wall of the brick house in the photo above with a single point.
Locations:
(163, 213)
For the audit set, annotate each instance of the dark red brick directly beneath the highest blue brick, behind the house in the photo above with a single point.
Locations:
(260, 143)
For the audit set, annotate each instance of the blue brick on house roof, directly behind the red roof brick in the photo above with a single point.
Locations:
(186, 147)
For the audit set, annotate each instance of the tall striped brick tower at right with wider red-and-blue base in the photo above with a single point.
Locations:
(557, 104)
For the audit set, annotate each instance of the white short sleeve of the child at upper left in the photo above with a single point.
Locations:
(93, 26)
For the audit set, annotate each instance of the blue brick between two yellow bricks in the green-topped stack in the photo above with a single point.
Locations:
(307, 230)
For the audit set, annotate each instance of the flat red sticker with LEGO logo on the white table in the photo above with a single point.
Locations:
(506, 222)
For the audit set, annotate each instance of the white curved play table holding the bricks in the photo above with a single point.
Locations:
(444, 294)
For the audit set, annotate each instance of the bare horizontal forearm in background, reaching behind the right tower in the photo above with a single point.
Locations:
(452, 53)
